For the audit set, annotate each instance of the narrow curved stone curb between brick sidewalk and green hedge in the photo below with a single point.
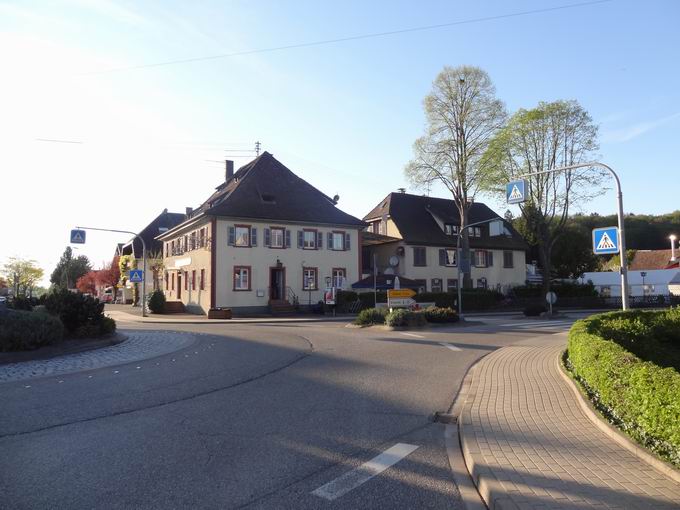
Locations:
(612, 432)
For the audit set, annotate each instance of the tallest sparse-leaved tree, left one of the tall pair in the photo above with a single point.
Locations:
(463, 115)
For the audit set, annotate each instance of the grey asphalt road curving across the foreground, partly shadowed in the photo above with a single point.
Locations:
(250, 415)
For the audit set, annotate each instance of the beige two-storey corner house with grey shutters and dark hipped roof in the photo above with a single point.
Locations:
(264, 238)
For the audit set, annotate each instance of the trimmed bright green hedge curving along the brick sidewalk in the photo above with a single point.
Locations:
(639, 396)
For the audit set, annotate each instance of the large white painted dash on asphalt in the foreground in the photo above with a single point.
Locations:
(360, 475)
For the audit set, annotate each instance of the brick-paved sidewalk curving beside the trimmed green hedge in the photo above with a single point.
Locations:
(528, 444)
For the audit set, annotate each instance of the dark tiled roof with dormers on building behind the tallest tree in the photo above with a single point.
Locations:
(413, 216)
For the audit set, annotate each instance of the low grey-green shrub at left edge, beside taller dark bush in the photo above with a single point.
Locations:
(22, 330)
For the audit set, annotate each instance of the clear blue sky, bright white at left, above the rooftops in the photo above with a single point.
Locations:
(134, 137)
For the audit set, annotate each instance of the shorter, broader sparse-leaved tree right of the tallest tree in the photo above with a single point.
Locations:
(552, 135)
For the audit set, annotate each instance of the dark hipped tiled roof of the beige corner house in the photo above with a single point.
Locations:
(266, 189)
